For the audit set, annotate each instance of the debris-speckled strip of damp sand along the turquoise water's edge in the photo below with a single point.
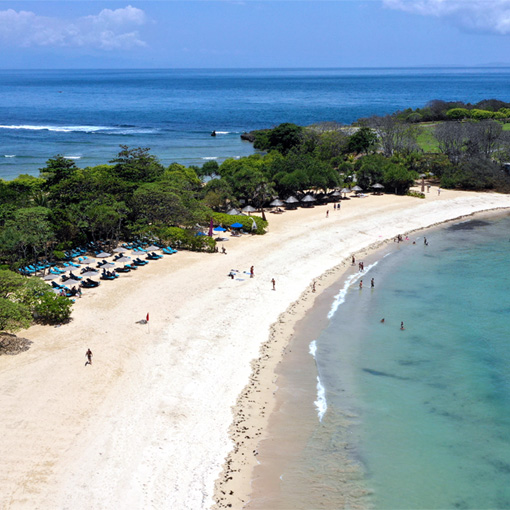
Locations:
(259, 401)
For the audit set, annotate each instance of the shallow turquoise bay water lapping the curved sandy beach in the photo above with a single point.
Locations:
(417, 418)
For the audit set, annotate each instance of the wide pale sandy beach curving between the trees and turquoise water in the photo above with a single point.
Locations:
(148, 424)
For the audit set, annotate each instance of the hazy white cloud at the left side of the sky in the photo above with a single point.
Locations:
(108, 30)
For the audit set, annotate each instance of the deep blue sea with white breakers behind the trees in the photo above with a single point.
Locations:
(87, 114)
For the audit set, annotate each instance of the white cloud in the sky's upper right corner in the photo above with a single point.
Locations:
(474, 15)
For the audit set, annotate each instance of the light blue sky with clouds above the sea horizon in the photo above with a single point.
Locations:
(253, 34)
